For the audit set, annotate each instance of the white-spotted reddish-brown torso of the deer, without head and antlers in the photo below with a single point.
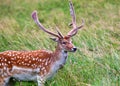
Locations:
(28, 65)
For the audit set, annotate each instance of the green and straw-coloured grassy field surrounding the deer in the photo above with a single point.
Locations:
(97, 61)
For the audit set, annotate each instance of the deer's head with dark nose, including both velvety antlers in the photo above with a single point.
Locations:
(64, 42)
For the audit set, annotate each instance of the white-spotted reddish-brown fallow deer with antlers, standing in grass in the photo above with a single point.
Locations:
(38, 65)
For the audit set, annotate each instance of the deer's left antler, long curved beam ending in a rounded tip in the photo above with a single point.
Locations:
(35, 18)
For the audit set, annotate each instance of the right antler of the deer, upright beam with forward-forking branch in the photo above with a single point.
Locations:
(75, 28)
